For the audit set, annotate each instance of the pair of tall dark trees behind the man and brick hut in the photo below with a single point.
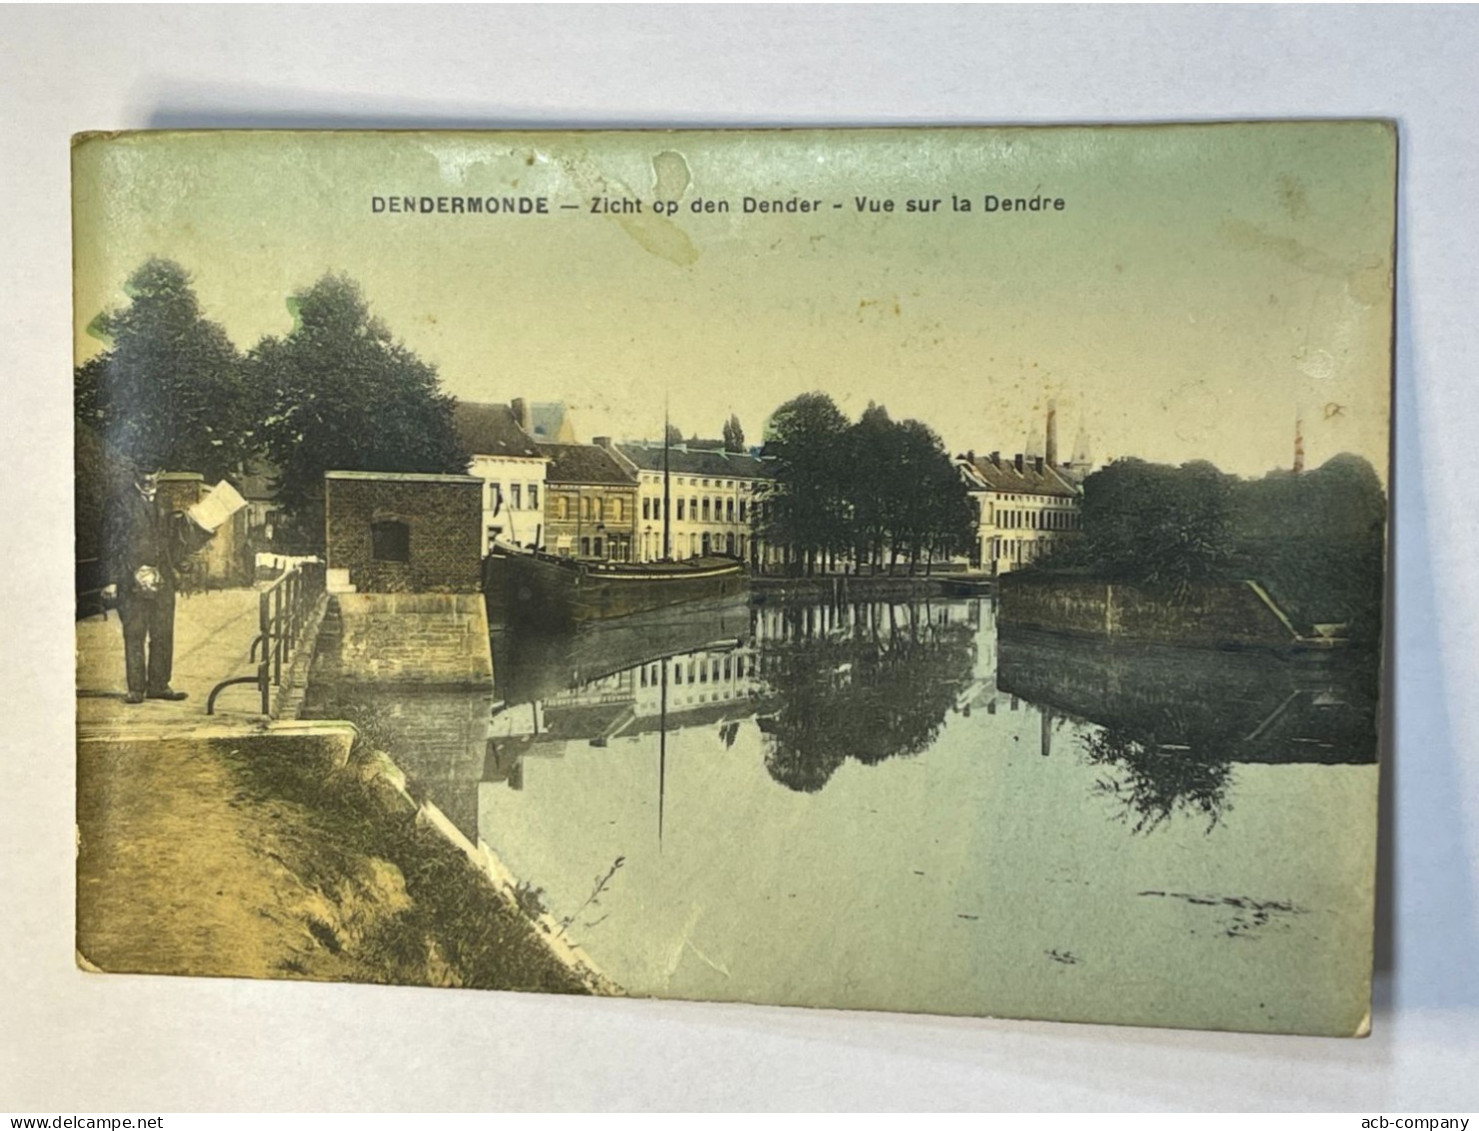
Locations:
(338, 391)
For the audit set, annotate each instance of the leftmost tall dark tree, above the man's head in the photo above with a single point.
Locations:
(169, 391)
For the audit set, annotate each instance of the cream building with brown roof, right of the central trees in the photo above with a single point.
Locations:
(1026, 506)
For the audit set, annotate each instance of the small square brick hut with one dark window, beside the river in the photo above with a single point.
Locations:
(399, 533)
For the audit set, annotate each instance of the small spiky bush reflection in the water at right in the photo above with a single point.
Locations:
(1162, 764)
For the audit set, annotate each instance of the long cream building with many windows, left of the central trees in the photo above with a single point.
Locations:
(711, 497)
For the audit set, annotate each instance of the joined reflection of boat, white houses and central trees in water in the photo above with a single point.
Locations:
(825, 684)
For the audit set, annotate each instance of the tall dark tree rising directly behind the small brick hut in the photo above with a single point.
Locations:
(345, 395)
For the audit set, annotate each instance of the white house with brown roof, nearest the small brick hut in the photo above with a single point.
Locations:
(512, 468)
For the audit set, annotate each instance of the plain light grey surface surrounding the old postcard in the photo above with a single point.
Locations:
(82, 1043)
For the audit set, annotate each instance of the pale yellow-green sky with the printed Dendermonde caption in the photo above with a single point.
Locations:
(1200, 289)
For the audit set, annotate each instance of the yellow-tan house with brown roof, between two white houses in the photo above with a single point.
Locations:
(591, 503)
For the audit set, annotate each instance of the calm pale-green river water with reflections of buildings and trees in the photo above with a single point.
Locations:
(894, 806)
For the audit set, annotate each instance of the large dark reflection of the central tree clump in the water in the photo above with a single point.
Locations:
(876, 687)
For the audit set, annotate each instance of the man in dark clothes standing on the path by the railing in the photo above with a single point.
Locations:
(144, 545)
